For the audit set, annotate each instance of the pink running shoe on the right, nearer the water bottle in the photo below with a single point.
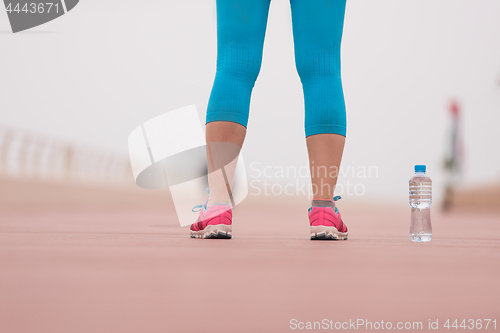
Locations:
(327, 224)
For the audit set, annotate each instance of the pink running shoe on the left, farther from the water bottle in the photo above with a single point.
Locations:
(214, 222)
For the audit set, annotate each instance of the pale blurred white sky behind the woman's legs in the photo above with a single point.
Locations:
(98, 72)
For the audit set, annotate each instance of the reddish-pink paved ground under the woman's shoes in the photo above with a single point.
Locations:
(132, 269)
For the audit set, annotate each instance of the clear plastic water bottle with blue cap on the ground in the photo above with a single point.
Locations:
(420, 201)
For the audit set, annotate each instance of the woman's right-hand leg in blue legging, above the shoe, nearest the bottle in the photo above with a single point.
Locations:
(317, 31)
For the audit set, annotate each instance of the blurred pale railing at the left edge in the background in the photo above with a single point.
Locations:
(25, 154)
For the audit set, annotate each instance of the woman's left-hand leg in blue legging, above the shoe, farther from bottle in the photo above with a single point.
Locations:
(241, 27)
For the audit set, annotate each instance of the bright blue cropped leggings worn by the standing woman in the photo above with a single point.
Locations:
(317, 33)
